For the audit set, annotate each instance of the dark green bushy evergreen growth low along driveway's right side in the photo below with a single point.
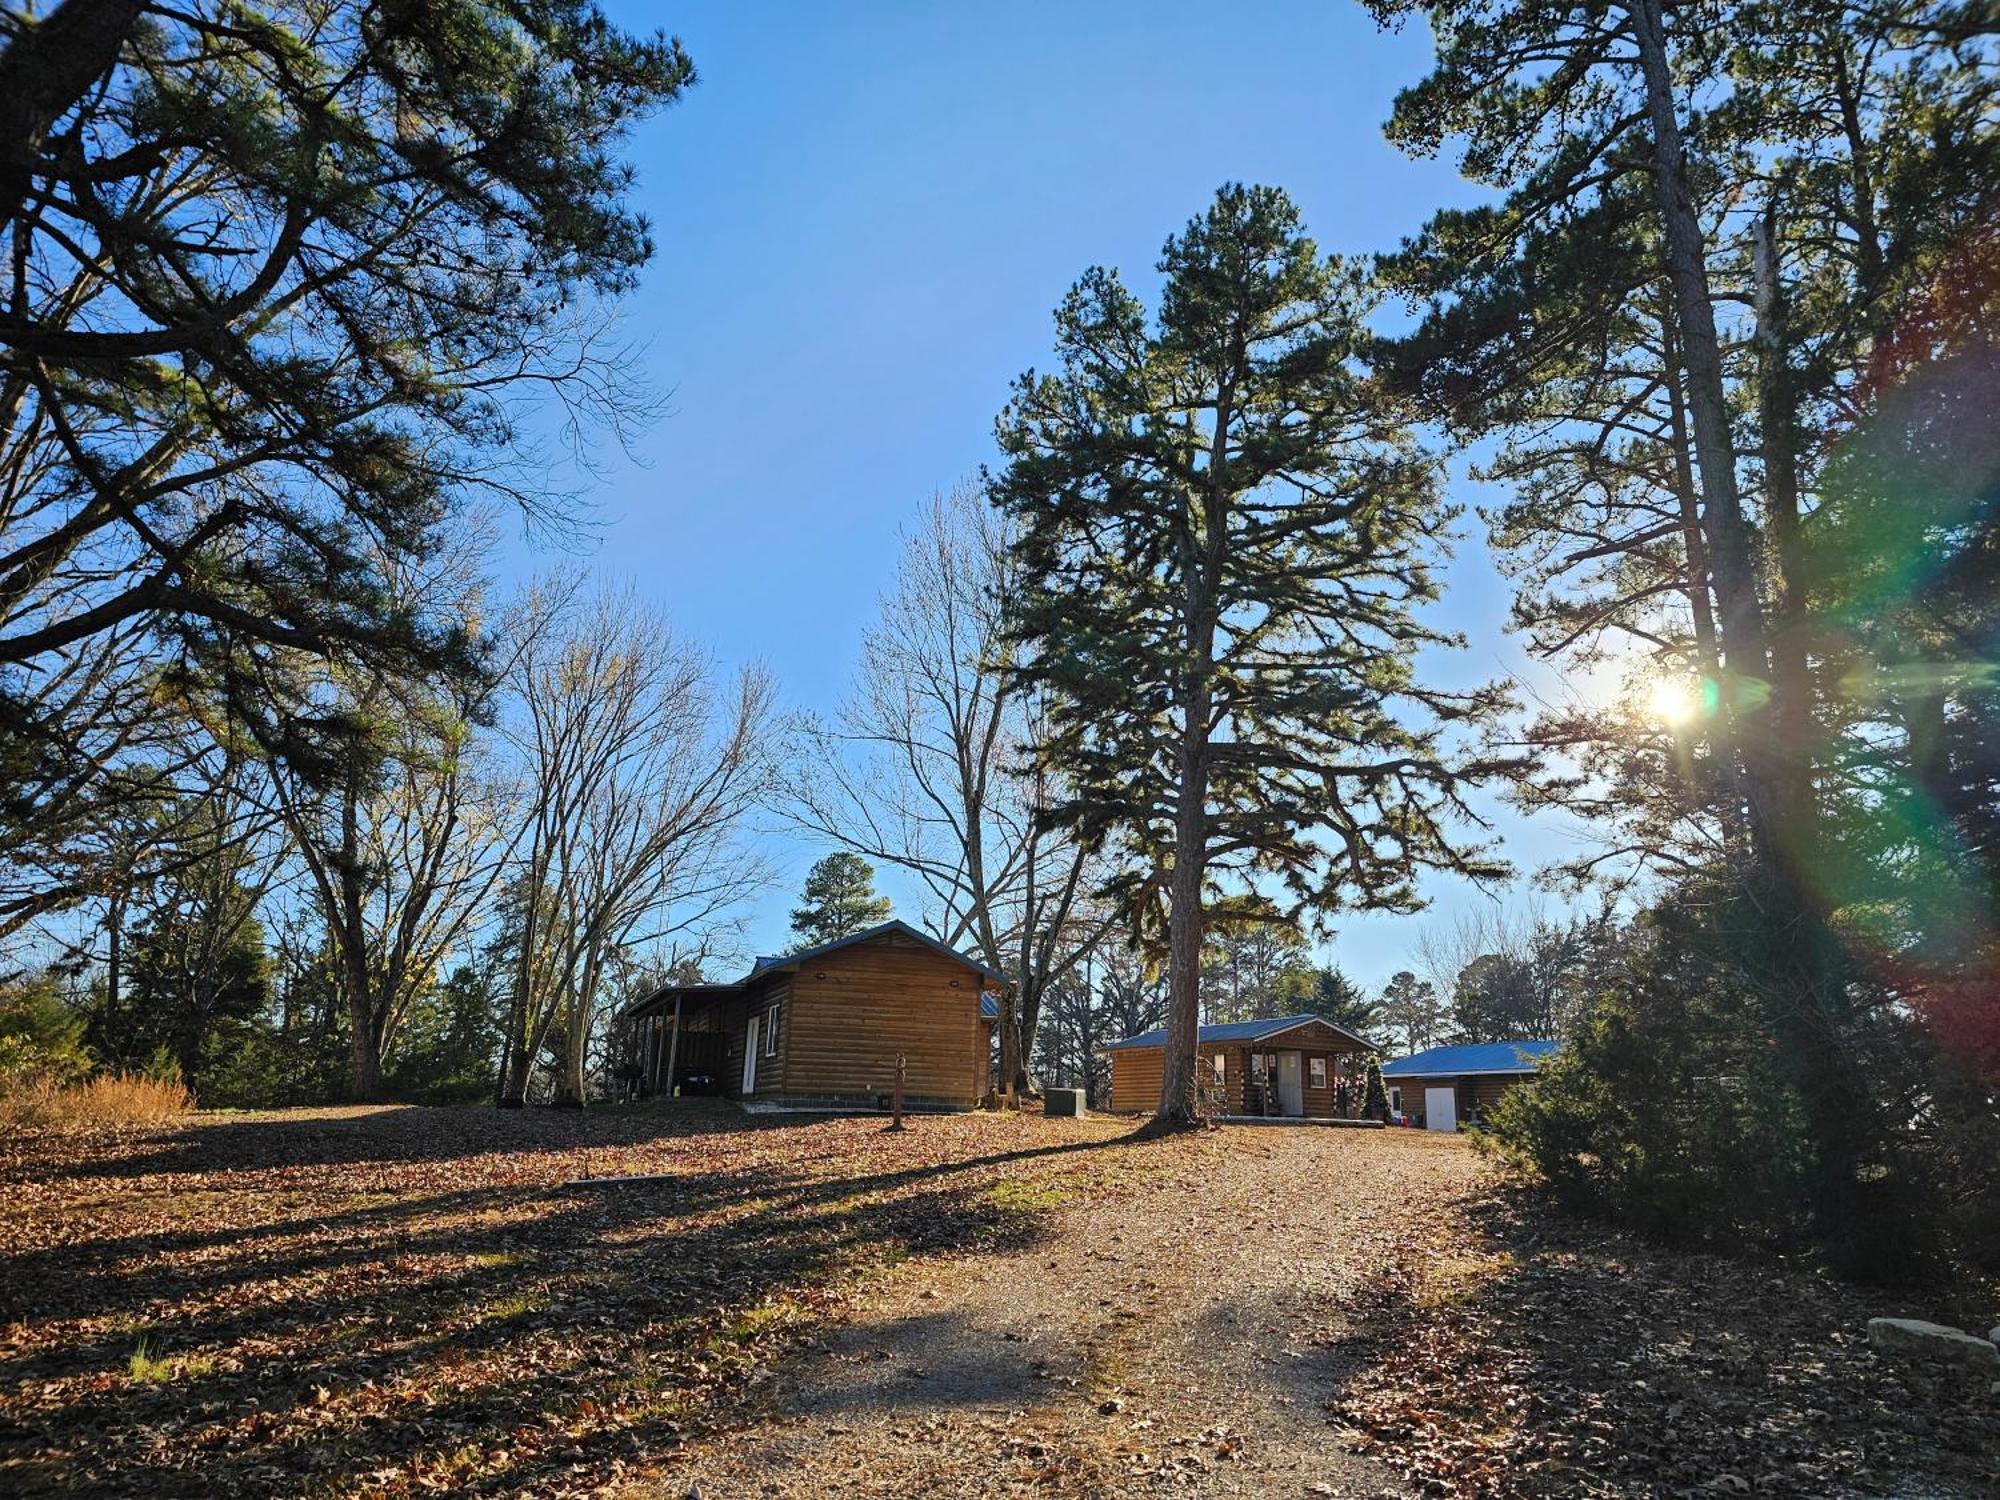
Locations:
(1677, 1111)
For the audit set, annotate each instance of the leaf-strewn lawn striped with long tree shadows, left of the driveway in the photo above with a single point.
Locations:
(327, 1333)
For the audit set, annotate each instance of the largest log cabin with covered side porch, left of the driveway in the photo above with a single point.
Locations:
(823, 1029)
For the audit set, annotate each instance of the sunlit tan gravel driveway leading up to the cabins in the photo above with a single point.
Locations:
(1135, 1351)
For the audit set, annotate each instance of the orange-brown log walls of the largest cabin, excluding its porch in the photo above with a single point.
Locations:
(853, 1011)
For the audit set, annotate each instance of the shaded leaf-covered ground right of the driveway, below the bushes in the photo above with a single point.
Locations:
(1521, 1351)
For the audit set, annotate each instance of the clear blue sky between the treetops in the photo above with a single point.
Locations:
(865, 217)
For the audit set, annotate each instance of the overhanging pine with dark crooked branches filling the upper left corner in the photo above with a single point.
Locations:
(281, 273)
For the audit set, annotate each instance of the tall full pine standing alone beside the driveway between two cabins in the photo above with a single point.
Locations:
(1225, 537)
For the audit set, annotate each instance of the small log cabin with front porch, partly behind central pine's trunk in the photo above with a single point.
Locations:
(1281, 1067)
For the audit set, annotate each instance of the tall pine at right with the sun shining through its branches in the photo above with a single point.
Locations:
(1707, 225)
